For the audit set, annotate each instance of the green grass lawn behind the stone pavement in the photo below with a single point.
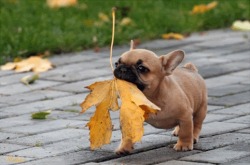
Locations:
(29, 27)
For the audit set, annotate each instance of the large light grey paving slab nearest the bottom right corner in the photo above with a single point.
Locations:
(227, 154)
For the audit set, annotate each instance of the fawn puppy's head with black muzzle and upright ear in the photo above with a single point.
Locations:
(145, 69)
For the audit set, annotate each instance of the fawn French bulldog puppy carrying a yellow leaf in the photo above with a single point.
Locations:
(179, 92)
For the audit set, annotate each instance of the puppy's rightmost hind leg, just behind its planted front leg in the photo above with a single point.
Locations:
(198, 120)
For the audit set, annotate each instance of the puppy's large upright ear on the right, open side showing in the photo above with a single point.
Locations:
(171, 61)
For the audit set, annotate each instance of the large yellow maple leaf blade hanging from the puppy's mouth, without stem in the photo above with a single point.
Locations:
(134, 109)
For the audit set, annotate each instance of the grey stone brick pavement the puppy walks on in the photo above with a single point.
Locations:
(223, 59)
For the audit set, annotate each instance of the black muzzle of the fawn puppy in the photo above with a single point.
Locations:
(129, 74)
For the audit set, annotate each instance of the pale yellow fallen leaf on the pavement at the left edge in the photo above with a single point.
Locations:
(34, 63)
